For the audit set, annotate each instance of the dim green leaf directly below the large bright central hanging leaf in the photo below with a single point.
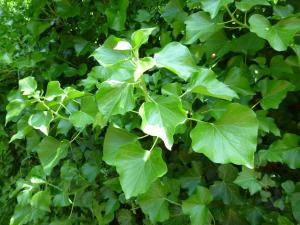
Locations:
(154, 203)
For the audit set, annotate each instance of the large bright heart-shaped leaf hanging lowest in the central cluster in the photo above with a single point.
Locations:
(138, 168)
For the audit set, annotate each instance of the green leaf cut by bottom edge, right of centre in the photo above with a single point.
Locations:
(196, 206)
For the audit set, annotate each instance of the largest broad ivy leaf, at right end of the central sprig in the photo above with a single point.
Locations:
(231, 139)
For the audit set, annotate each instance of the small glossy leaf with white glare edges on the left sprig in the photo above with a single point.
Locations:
(41, 121)
